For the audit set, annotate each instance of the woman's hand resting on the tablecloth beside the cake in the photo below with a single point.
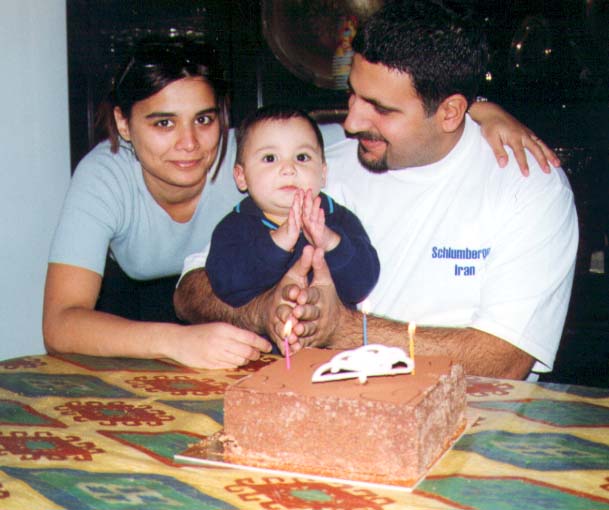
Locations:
(216, 345)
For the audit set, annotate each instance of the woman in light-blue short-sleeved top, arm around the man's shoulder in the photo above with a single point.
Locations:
(148, 196)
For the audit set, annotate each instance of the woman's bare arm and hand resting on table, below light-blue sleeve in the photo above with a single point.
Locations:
(72, 325)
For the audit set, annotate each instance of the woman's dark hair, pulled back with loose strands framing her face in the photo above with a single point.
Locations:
(156, 63)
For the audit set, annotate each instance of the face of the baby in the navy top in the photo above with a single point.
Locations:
(280, 157)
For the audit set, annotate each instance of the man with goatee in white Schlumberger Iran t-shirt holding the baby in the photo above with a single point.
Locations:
(480, 257)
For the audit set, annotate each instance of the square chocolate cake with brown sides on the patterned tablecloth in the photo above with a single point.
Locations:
(388, 430)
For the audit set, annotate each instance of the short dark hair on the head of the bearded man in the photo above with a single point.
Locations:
(443, 52)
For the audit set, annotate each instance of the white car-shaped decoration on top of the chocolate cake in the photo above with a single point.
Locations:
(363, 362)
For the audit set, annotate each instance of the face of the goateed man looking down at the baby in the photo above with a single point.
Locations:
(388, 118)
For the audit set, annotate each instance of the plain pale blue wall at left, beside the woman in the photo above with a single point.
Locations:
(35, 164)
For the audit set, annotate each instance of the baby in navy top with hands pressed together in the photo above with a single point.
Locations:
(281, 164)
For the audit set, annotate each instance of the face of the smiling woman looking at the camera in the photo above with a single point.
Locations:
(175, 134)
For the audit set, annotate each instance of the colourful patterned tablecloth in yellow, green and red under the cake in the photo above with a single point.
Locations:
(90, 433)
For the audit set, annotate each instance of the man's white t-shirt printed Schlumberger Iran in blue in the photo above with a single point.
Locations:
(465, 243)
